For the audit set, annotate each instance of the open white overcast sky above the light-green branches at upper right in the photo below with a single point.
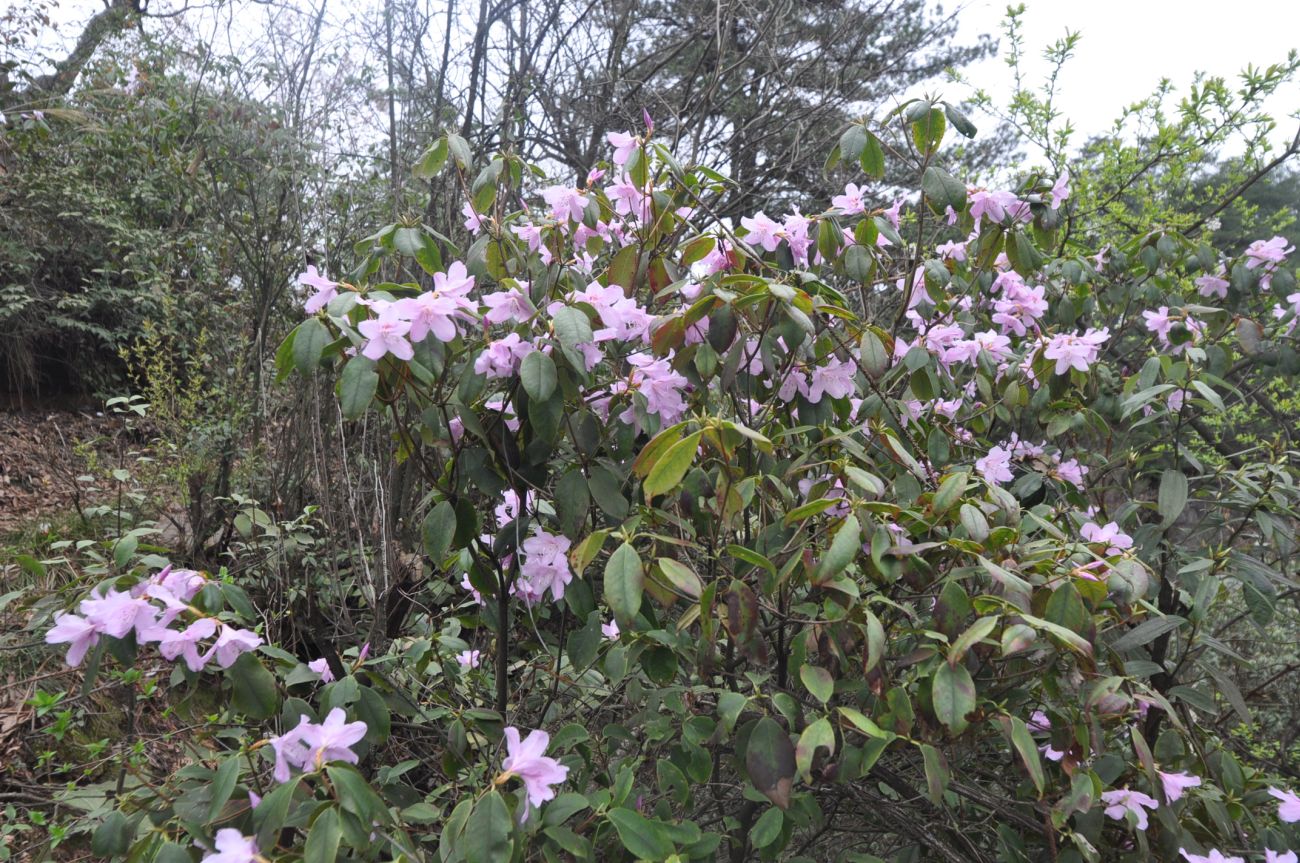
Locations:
(1128, 46)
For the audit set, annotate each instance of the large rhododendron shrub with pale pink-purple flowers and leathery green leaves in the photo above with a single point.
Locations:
(881, 530)
